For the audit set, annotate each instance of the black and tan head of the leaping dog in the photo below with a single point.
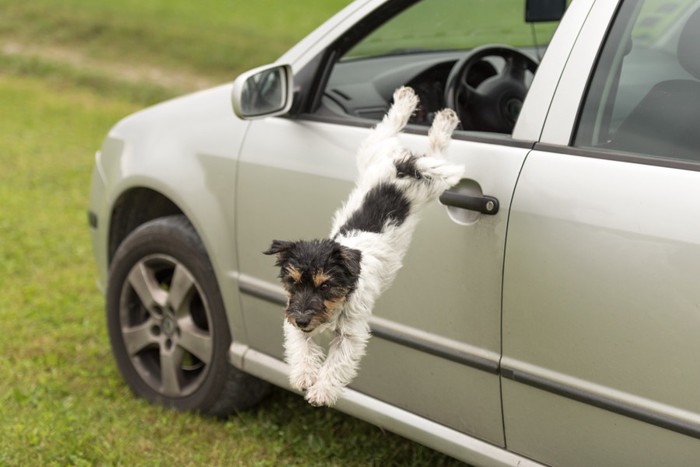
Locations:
(318, 276)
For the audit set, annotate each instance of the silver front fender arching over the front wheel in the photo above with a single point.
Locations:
(186, 151)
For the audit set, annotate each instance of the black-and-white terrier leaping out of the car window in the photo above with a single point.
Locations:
(333, 283)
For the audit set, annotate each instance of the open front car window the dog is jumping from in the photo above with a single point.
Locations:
(420, 46)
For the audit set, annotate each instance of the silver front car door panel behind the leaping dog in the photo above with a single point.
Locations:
(436, 339)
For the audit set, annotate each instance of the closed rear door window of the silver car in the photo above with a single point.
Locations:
(644, 95)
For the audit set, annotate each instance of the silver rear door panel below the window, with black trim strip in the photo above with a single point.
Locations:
(608, 335)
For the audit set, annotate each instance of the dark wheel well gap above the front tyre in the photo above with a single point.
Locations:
(134, 208)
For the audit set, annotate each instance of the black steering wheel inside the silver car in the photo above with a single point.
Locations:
(494, 103)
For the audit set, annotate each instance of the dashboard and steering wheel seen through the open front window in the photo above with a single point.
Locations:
(470, 83)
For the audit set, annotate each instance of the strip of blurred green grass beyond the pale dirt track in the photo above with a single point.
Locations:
(212, 38)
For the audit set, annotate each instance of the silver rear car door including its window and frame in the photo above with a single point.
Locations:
(600, 313)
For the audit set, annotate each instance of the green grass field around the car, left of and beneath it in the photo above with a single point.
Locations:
(62, 401)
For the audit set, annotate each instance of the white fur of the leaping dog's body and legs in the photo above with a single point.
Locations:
(382, 253)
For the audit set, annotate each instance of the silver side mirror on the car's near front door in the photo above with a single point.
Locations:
(263, 92)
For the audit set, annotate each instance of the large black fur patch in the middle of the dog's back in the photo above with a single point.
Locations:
(383, 203)
